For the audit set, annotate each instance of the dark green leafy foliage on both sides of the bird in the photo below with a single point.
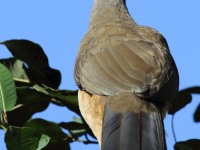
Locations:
(36, 85)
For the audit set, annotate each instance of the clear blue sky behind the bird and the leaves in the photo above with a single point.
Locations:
(58, 26)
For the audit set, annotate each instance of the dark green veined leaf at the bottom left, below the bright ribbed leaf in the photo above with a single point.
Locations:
(21, 139)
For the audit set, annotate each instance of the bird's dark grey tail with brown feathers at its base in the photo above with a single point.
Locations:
(132, 124)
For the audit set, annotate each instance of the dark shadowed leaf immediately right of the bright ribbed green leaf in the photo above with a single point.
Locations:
(29, 102)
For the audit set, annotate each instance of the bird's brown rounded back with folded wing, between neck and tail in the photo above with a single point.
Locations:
(123, 59)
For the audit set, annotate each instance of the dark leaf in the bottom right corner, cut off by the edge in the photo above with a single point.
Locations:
(193, 144)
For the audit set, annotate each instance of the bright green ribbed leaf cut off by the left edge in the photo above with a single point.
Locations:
(7, 90)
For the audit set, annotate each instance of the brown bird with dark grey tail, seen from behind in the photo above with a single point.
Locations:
(126, 77)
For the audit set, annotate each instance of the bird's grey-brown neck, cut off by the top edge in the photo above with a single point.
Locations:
(105, 11)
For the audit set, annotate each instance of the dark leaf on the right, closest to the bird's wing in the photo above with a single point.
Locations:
(184, 98)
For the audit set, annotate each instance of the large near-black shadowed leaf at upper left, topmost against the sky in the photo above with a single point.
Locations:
(32, 54)
